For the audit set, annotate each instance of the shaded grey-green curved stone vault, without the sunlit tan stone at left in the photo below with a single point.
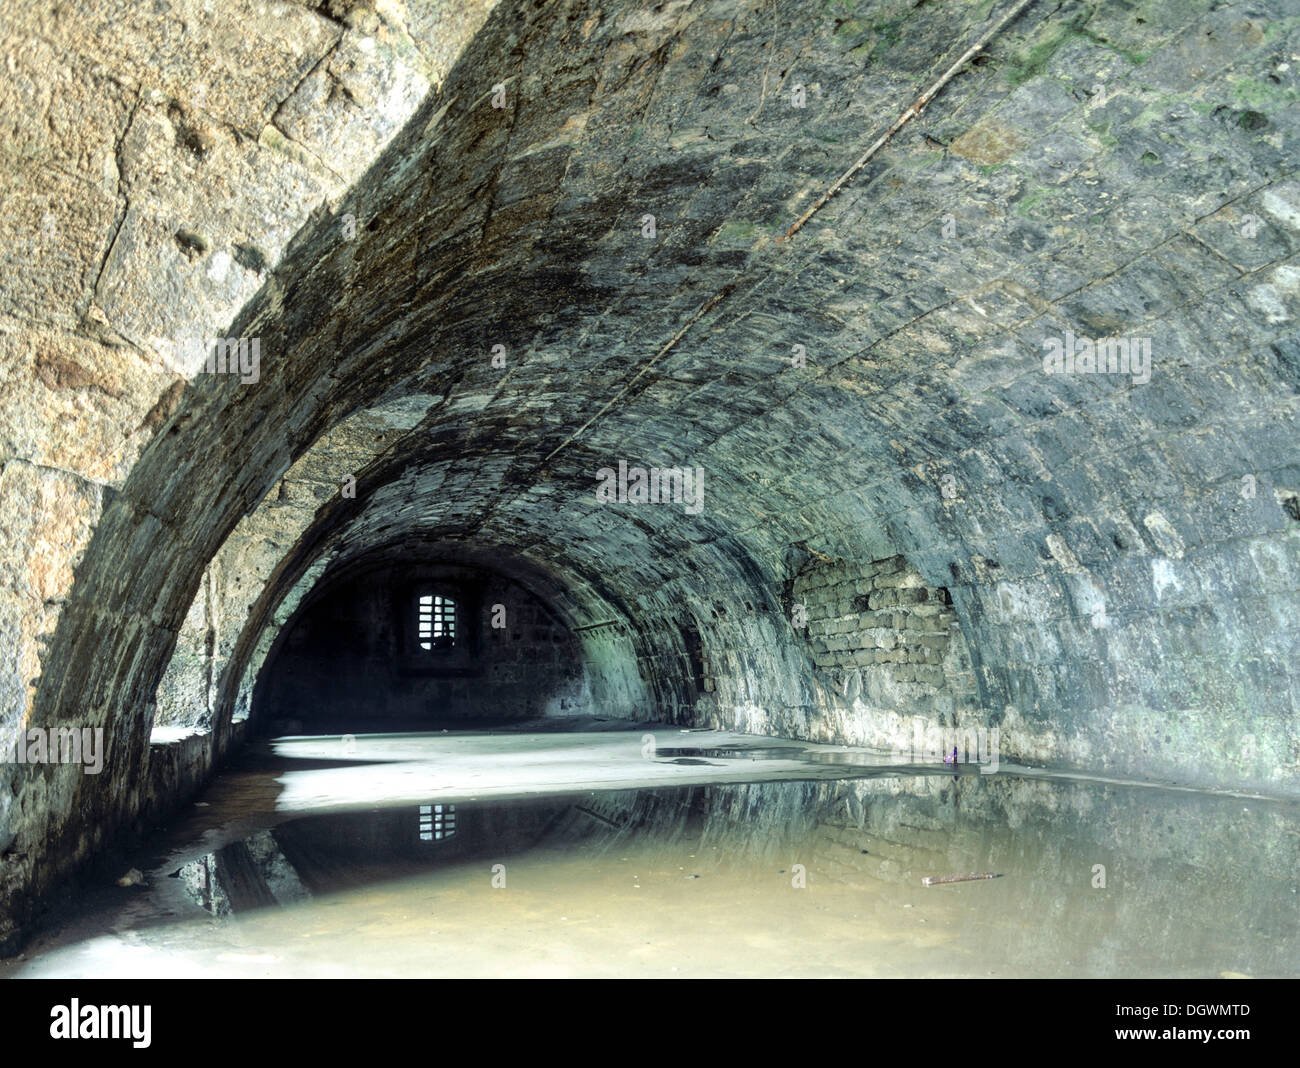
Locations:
(1107, 171)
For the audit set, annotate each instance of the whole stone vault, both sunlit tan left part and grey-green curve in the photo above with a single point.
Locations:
(1121, 552)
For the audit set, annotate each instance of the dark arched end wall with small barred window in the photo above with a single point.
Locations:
(415, 645)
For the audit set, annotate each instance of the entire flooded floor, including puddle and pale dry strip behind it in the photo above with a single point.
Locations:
(626, 853)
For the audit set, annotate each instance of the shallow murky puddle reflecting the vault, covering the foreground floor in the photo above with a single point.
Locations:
(781, 879)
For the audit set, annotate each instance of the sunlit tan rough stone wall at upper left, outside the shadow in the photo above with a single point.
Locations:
(148, 194)
